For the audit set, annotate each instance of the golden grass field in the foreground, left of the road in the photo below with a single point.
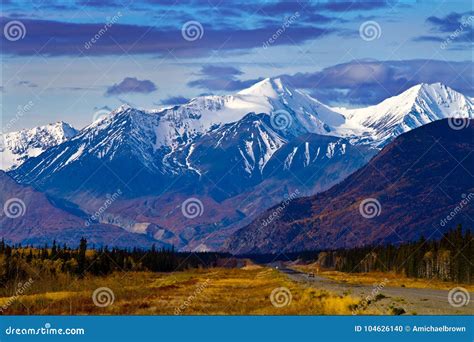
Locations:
(200, 291)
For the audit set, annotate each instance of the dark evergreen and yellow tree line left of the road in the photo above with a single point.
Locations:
(18, 262)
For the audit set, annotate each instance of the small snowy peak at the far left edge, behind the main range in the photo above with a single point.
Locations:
(16, 147)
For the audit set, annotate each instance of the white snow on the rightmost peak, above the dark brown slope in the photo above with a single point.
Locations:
(417, 106)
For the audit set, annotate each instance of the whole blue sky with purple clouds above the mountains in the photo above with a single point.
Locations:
(66, 60)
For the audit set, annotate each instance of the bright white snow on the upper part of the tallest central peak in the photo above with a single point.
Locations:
(304, 113)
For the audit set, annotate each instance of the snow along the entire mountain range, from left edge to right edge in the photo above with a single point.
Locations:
(156, 138)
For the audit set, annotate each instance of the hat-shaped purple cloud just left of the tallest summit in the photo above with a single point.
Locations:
(221, 78)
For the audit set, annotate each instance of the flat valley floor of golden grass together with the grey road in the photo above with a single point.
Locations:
(206, 292)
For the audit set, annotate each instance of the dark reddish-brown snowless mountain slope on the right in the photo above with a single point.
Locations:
(419, 185)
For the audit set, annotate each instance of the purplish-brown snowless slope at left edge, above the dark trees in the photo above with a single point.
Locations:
(29, 217)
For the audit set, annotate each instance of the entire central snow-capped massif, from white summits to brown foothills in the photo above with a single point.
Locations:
(239, 154)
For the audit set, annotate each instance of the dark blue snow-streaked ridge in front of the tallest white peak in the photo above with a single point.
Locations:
(240, 155)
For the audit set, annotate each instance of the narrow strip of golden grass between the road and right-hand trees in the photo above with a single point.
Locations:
(394, 279)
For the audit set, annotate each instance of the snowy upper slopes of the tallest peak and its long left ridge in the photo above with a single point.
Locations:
(154, 141)
